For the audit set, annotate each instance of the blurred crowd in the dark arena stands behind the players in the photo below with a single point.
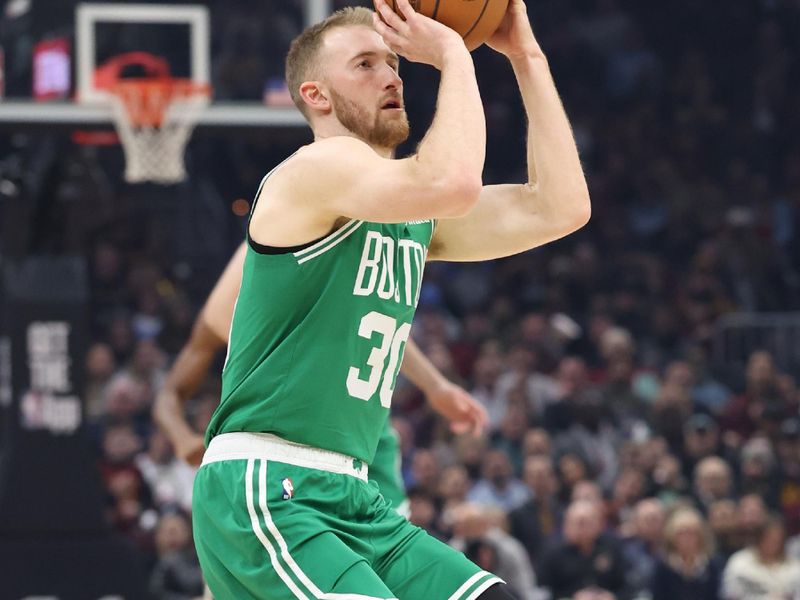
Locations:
(621, 462)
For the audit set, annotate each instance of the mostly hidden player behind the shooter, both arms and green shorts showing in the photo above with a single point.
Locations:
(210, 334)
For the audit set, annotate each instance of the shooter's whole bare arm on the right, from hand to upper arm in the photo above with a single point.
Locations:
(555, 201)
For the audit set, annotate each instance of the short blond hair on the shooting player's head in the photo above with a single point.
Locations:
(301, 62)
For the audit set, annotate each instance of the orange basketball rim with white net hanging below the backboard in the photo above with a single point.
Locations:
(154, 118)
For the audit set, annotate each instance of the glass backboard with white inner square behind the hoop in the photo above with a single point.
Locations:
(97, 29)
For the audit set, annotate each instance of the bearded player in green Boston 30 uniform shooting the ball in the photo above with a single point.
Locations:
(337, 240)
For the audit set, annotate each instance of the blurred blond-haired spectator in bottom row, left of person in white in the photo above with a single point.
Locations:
(688, 570)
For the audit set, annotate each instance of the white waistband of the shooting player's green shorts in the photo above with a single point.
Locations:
(265, 446)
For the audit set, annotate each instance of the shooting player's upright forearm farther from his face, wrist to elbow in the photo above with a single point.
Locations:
(554, 167)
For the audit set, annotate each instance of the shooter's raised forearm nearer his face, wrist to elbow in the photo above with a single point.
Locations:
(454, 148)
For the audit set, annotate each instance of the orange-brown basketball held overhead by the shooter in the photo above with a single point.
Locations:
(475, 20)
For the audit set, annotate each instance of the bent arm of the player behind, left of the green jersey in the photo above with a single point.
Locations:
(209, 335)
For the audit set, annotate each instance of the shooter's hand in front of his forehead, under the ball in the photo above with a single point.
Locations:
(414, 36)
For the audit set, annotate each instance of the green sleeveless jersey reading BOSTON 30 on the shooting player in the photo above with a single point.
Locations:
(318, 336)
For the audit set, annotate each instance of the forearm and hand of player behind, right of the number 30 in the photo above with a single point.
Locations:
(451, 401)
